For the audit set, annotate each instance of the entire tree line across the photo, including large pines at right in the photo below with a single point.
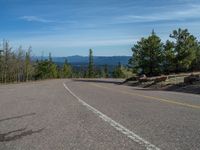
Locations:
(151, 57)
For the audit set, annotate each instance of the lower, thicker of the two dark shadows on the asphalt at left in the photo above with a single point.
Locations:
(18, 134)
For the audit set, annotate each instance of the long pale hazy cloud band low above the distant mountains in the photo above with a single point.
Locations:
(69, 42)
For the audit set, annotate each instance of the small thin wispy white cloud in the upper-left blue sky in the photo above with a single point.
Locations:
(35, 19)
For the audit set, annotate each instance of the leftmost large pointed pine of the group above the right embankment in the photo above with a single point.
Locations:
(147, 55)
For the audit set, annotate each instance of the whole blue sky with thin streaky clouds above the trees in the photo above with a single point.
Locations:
(109, 27)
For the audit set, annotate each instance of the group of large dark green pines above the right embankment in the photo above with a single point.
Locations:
(151, 57)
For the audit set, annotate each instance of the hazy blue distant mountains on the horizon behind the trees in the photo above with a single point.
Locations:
(83, 60)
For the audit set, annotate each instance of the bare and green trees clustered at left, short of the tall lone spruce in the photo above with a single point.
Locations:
(18, 66)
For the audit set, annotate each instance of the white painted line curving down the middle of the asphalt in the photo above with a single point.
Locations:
(117, 126)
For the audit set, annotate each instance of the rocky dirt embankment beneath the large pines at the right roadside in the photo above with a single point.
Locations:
(185, 82)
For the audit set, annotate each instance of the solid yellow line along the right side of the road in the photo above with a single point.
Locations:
(151, 97)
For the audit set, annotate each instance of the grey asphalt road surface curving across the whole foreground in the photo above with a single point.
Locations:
(96, 114)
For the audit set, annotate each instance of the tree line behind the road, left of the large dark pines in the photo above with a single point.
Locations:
(18, 66)
